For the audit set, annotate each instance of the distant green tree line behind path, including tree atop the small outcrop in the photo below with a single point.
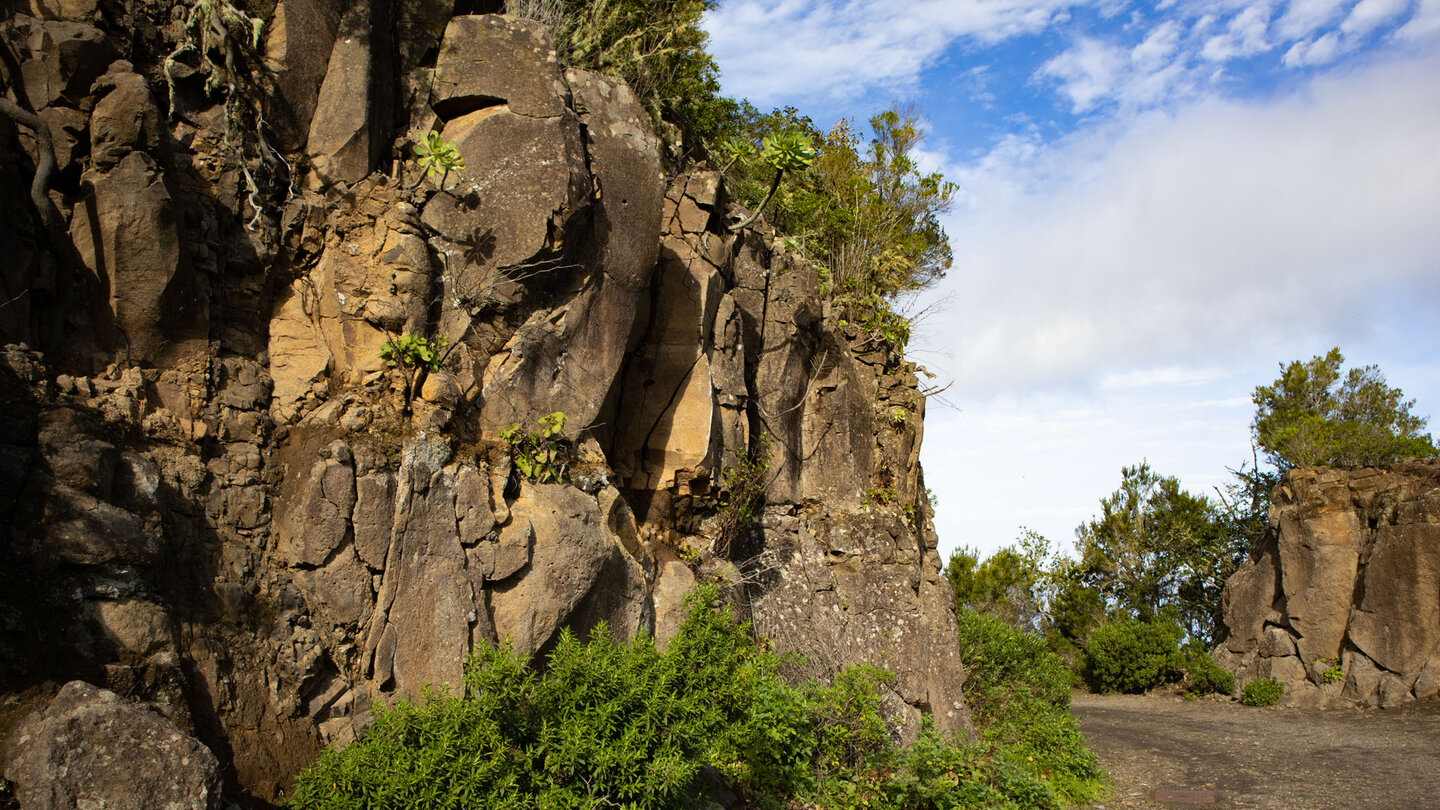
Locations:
(1157, 554)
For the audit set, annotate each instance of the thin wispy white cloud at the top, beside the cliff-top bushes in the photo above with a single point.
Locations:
(773, 50)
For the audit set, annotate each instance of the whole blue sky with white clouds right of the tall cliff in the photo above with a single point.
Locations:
(1158, 205)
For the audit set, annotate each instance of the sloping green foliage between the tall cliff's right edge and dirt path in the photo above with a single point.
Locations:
(1019, 694)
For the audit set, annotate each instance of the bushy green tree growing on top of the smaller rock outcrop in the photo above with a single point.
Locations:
(1313, 416)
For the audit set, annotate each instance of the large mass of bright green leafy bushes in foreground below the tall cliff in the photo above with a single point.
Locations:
(631, 726)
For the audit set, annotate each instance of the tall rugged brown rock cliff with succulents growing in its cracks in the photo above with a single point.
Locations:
(221, 502)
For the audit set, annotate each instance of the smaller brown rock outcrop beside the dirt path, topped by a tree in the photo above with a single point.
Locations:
(1346, 583)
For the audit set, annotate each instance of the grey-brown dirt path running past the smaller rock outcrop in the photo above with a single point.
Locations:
(1169, 753)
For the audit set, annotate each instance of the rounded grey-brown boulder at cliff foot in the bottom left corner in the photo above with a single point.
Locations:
(90, 749)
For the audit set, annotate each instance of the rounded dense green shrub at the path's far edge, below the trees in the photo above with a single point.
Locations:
(1133, 657)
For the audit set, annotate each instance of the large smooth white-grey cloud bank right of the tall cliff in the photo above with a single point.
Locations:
(1210, 234)
